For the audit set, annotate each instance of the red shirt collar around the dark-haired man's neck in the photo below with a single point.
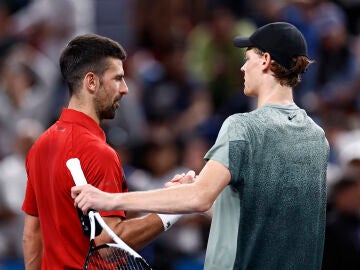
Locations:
(79, 118)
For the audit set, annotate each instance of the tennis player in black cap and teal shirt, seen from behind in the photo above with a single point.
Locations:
(265, 174)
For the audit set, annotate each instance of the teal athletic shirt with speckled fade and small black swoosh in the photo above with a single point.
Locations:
(272, 214)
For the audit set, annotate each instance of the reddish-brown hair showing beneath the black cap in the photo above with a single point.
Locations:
(289, 76)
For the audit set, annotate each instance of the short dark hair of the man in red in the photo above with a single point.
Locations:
(87, 53)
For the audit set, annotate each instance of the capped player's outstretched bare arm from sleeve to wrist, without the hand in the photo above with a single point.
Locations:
(195, 197)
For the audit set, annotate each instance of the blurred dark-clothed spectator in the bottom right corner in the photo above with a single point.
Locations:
(342, 240)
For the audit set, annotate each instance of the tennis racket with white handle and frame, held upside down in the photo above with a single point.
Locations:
(117, 255)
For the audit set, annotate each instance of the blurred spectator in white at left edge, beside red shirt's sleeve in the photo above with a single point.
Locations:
(12, 188)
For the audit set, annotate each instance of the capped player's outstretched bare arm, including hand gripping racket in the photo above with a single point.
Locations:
(195, 197)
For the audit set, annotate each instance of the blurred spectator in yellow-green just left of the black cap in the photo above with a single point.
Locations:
(212, 58)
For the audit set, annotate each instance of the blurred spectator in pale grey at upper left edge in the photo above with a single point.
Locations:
(25, 90)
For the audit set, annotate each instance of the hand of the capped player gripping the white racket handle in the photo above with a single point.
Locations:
(87, 197)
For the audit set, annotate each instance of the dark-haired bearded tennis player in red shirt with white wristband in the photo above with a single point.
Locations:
(92, 67)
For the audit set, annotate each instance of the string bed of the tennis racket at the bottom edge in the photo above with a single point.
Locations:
(110, 257)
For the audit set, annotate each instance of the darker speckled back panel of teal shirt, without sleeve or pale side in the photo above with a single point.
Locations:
(284, 192)
